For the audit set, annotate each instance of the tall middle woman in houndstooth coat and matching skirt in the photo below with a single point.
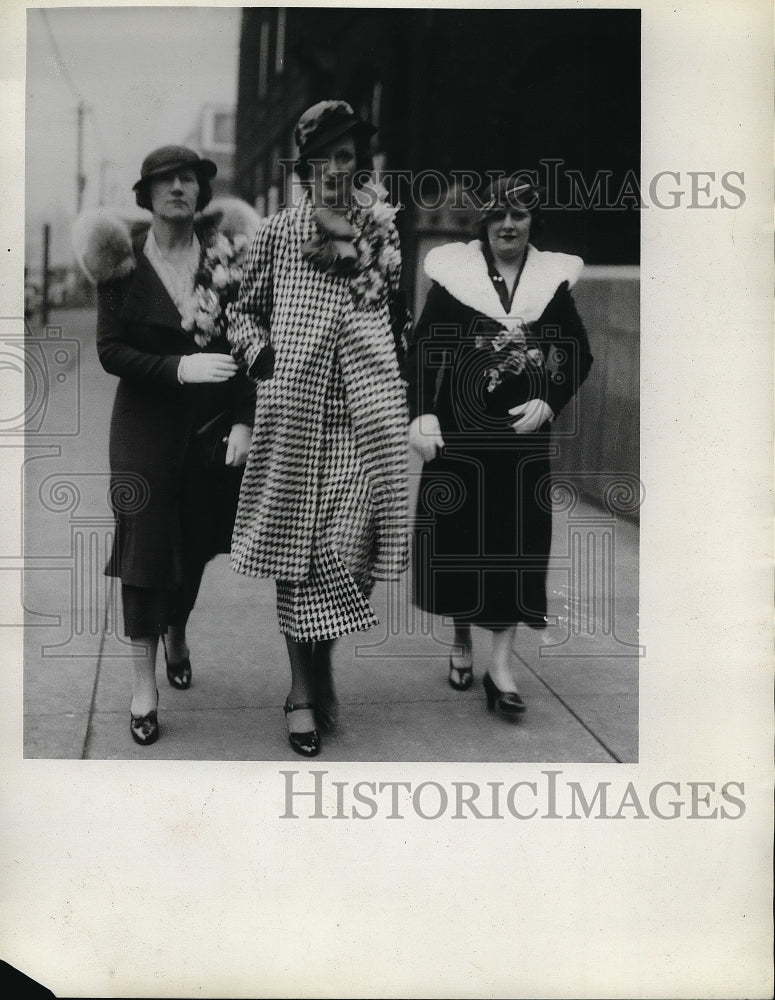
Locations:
(323, 505)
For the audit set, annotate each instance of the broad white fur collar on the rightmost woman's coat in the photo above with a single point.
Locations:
(461, 269)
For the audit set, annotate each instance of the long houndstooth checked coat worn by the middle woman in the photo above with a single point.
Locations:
(316, 329)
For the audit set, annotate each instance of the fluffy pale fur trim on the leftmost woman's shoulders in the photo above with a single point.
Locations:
(104, 240)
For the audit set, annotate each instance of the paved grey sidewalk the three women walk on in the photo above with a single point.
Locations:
(579, 677)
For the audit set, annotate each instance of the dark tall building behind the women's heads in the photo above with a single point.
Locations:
(451, 91)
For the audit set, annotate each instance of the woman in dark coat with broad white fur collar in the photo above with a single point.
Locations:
(498, 351)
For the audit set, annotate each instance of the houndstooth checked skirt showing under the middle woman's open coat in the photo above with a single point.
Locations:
(333, 600)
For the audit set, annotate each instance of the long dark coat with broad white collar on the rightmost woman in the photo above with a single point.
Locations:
(482, 532)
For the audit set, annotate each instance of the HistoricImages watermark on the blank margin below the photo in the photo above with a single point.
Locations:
(314, 795)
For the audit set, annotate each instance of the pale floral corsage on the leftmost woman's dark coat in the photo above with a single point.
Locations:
(216, 285)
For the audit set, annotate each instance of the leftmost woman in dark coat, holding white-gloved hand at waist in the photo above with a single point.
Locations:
(174, 507)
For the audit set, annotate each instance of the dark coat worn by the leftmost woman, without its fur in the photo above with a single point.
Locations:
(171, 510)
